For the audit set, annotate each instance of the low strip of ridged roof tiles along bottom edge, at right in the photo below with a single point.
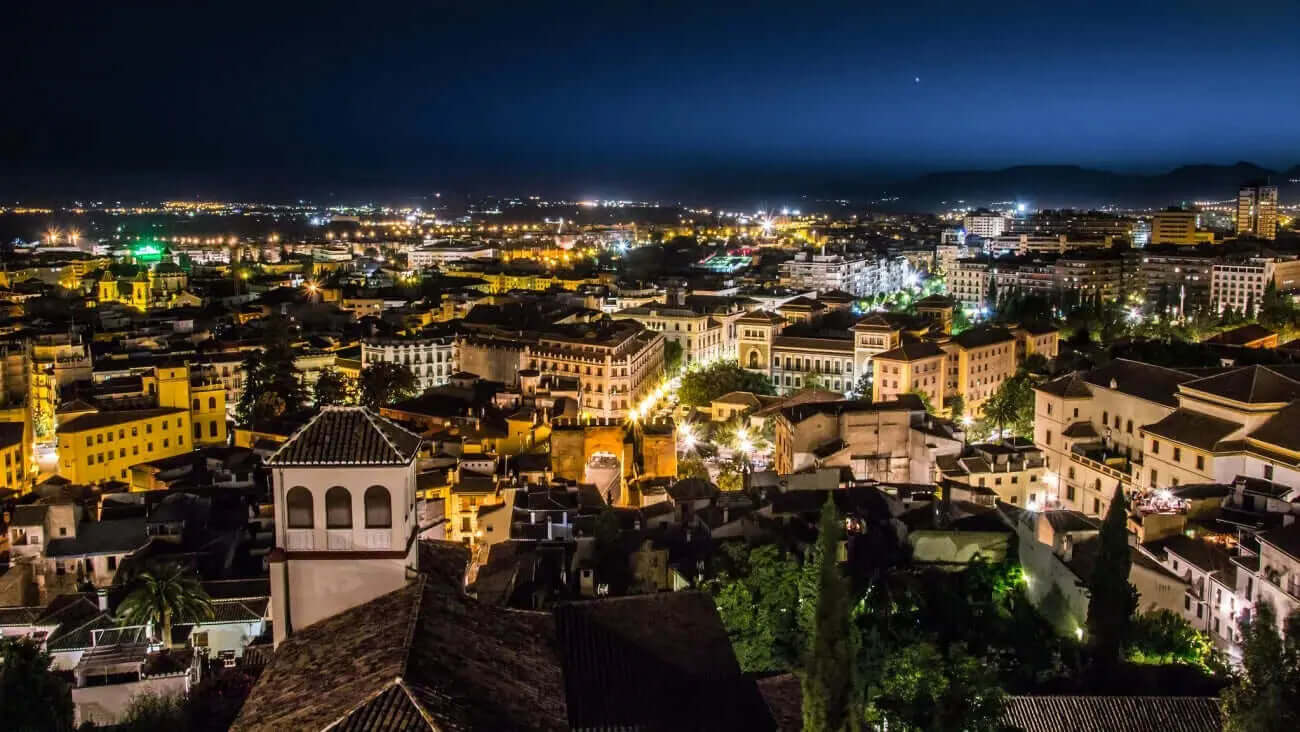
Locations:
(1115, 714)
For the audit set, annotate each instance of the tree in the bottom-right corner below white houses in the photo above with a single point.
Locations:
(1264, 696)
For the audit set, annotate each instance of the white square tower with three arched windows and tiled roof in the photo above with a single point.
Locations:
(344, 490)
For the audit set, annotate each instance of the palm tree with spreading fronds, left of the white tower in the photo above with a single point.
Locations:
(162, 594)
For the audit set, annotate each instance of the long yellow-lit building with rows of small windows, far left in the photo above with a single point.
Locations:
(103, 447)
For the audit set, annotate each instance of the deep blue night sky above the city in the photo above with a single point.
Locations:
(635, 98)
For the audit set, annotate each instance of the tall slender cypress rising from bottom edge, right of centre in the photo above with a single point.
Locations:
(830, 682)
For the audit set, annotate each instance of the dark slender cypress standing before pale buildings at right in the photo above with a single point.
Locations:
(1112, 600)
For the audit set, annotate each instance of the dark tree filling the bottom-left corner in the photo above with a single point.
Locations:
(33, 699)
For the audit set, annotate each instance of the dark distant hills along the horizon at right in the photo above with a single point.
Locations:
(1054, 187)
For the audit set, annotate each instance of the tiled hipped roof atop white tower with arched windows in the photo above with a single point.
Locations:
(349, 436)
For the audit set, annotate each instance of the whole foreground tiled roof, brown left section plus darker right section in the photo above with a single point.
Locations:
(423, 659)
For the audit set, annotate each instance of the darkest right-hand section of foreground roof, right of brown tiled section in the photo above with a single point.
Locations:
(679, 673)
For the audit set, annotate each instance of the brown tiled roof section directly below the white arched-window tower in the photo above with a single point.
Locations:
(463, 665)
